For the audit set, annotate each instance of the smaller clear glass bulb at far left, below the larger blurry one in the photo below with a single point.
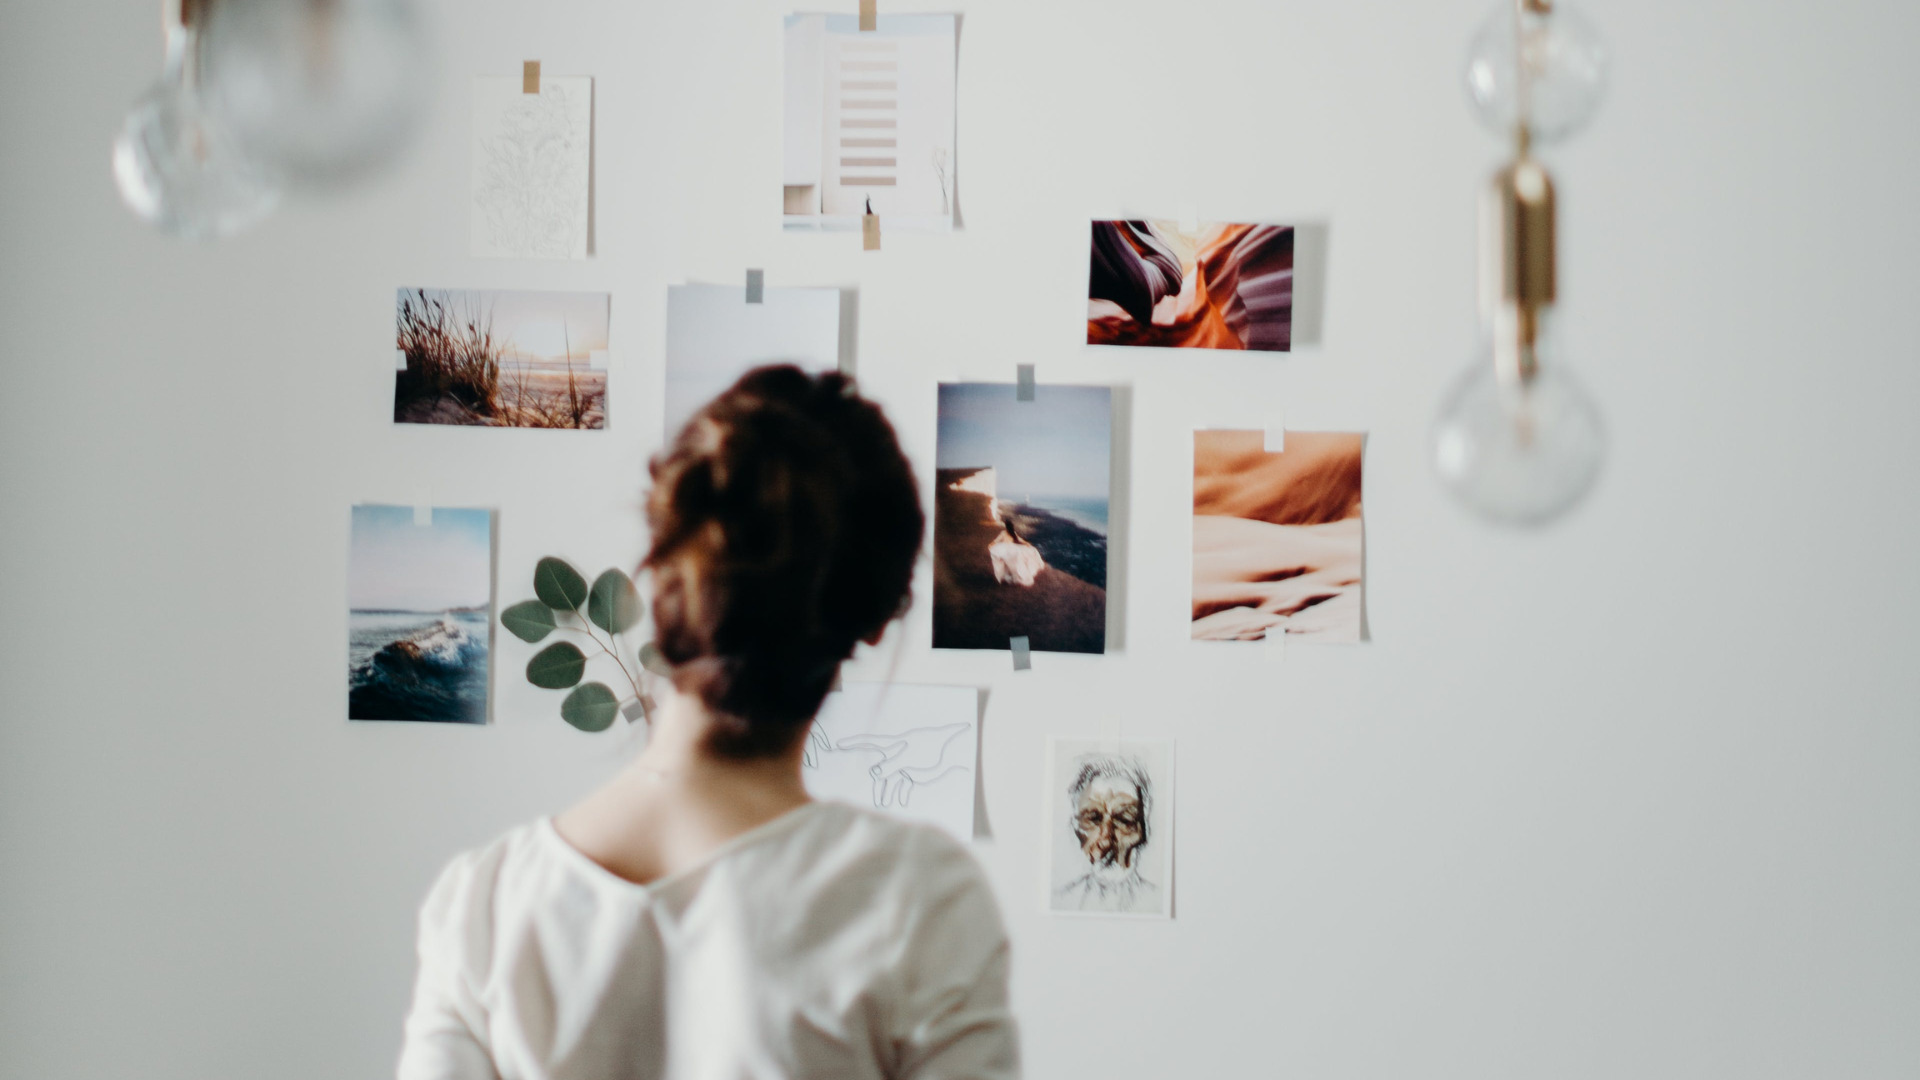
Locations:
(180, 168)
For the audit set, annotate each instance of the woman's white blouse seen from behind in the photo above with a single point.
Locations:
(827, 943)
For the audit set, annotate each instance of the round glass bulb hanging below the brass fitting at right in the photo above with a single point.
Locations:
(1518, 453)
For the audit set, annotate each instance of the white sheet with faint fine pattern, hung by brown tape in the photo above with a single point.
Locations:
(531, 159)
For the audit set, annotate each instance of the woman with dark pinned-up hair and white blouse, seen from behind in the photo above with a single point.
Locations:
(702, 918)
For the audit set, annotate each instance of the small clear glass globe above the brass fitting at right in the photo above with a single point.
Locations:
(1566, 66)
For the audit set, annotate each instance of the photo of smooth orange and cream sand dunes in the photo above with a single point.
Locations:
(1278, 537)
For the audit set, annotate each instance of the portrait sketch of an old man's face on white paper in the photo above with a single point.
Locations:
(1111, 827)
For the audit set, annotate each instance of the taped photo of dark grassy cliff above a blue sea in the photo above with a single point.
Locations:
(1020, 518)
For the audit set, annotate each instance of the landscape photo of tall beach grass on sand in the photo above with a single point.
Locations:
(491, 358)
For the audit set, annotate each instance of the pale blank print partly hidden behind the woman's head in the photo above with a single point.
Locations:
(713, 337)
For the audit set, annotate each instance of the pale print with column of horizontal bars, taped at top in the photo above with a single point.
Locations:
(871, 122)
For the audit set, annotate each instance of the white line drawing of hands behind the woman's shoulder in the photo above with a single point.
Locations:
(903, 750)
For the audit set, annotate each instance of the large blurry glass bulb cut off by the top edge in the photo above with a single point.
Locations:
(325, 91)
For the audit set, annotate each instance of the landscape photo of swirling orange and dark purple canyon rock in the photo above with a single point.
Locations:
(1170, 285)
